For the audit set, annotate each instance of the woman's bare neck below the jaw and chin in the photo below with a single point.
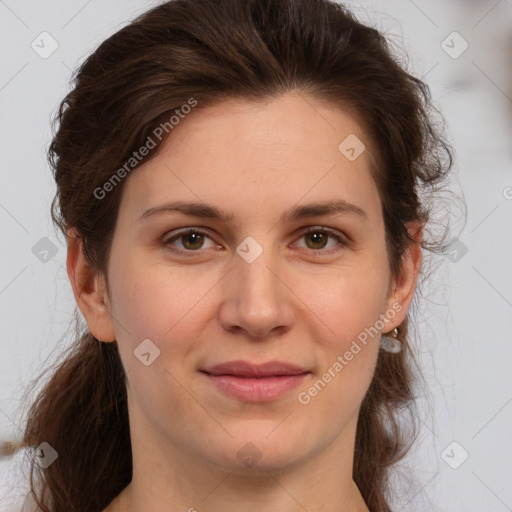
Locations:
(170, 477)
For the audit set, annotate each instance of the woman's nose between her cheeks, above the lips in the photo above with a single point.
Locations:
(257, 300)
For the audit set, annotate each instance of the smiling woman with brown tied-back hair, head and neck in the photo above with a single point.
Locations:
(243, 186)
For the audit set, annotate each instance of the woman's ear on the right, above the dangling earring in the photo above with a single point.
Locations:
(404, 286)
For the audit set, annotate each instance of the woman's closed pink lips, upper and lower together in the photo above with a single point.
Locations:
(256, 382)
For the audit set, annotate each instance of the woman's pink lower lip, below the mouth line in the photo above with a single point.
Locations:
(262, 389)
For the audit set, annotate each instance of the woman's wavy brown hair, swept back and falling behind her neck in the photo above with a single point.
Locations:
(211, 50)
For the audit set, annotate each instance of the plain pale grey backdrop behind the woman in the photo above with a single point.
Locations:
(462, 458)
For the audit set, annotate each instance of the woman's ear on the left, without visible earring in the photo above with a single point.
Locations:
(89, 289)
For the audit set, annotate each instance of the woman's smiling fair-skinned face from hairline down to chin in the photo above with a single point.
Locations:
(250, 284)
